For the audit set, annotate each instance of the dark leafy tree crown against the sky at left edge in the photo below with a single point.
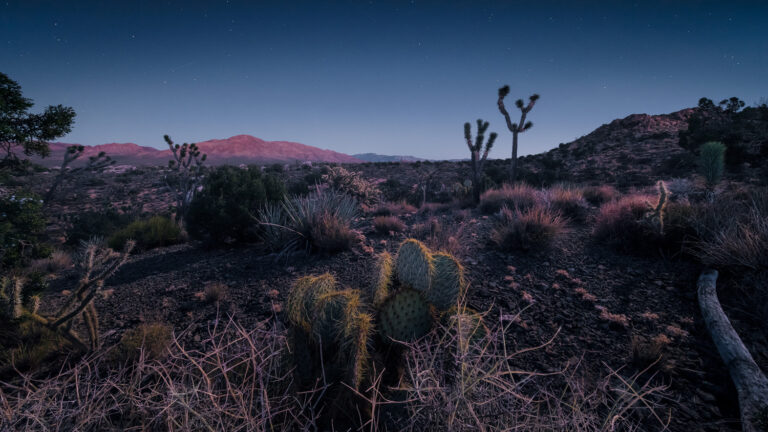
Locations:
(24, 130)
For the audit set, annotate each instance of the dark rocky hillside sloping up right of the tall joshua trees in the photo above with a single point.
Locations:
(635, 150)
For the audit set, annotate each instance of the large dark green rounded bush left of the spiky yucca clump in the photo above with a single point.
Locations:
(223, 211)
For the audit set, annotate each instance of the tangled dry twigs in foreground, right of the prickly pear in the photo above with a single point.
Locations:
(463, 380)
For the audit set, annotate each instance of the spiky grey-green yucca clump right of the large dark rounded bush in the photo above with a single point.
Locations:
(320, 222)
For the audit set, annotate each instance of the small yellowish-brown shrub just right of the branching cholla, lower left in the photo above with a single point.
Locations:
(153, 340)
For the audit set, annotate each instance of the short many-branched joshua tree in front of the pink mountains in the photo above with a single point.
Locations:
(187, 168)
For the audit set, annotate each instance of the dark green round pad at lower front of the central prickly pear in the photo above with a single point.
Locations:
(405, 316)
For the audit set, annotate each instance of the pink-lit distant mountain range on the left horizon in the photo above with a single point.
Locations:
(239, 149)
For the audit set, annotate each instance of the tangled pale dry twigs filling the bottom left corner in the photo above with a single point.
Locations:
(237, 382)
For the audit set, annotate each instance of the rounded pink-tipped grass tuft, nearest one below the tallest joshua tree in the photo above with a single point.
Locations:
(533, 228)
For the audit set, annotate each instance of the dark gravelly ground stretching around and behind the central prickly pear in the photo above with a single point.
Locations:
(657, 297)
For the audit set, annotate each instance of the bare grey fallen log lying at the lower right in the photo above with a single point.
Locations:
(751, 384)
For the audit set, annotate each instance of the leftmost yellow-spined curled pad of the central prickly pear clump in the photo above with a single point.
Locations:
(303, 297)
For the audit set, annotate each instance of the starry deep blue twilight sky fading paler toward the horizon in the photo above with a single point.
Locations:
(388, 77)
